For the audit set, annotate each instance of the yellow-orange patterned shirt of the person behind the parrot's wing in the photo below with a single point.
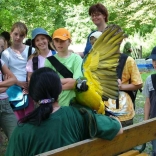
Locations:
(126, 110)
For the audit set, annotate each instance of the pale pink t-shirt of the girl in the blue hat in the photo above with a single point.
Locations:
(41, 60)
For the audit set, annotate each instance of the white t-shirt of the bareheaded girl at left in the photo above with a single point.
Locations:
(16, 62)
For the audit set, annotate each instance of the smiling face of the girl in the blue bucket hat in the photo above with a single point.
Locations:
(41, 42)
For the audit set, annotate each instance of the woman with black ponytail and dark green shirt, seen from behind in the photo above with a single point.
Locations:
(50, 126)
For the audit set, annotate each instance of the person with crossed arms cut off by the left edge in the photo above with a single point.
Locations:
(8, 119)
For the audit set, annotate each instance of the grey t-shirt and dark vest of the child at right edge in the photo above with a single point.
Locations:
(149, 92)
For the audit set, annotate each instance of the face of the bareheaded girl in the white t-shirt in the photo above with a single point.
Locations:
(17, 37)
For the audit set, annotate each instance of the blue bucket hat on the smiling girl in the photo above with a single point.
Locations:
(39, 31)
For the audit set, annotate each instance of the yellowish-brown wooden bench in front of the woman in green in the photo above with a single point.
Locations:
(132, 136)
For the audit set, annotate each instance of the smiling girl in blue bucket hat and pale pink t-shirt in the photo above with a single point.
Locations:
(41, 41)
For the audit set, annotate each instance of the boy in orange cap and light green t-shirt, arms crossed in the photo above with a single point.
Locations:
(61, 40)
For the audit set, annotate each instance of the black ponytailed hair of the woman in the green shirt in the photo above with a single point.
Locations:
(44, 84)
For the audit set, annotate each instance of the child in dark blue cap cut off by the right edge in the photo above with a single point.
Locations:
(149, 92)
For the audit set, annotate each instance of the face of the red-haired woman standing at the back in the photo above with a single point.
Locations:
(98, 18)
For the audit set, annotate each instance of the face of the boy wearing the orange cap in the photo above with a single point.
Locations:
(61, 45)
